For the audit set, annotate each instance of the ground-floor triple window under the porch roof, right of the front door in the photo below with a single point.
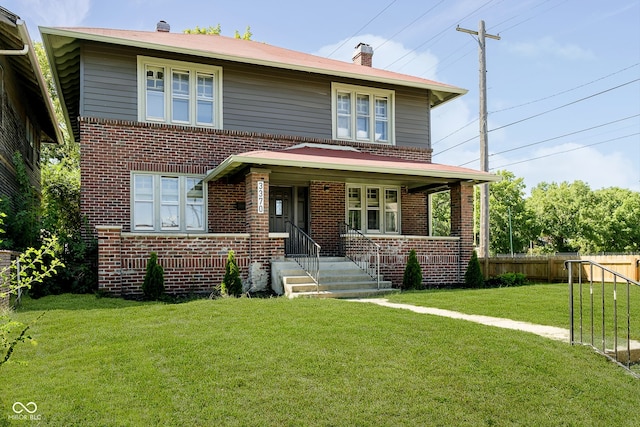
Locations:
(373, 209)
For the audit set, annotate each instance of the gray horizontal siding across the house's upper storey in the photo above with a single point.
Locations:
(255, 99)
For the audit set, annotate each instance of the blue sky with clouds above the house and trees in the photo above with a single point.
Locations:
(563, 81)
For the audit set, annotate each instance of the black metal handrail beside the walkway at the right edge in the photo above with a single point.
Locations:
(613, 354)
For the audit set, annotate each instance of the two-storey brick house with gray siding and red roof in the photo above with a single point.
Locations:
(194, 145)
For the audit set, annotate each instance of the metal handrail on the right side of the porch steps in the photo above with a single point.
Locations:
(360, 249)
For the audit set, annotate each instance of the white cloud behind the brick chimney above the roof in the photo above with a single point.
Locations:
(387, 54)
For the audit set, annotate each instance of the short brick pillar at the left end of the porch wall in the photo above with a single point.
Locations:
(110, 259)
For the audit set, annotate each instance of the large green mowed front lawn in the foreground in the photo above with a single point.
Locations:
(300, 362)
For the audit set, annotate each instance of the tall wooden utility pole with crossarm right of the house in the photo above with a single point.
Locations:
(484, 144)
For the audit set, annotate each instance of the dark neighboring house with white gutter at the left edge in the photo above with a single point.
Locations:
(27, 117)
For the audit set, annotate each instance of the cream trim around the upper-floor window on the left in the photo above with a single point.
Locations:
(169, 65)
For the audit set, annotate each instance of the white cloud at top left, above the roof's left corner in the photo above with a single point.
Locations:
(61, 13)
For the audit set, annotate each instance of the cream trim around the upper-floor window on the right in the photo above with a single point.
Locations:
(373, 93)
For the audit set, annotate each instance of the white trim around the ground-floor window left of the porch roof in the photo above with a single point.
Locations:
(157, 202)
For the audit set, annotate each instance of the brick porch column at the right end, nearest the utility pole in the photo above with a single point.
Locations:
(462, 222)
